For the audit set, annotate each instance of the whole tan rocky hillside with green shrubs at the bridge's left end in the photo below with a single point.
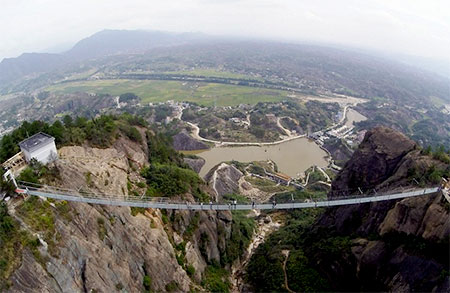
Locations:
(58, 246)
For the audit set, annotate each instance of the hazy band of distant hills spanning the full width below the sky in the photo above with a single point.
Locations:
(312, 69)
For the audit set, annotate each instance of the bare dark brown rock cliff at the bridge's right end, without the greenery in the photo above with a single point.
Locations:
(395, 245)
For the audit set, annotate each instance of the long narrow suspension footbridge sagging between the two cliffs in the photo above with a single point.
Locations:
(167, 203)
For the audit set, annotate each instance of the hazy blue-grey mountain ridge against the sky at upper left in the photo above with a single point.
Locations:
(101, 44)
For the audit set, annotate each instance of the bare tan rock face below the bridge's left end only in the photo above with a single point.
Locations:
(99, 249)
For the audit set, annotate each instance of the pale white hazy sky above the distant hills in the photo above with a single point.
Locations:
(419, 28)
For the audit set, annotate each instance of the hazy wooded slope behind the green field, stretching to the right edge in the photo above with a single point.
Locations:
(306, 67)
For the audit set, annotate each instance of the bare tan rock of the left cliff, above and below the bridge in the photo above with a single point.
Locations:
(91, 247)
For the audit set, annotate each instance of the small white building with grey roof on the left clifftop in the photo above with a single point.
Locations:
(40, 146)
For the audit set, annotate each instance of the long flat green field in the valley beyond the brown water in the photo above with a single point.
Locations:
(161, 91)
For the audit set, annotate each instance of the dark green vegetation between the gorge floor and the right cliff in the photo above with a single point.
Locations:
(265, 270)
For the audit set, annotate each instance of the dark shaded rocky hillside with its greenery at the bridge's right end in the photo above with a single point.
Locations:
(388, 246)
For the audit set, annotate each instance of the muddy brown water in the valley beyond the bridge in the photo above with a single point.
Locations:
(292, 157)
